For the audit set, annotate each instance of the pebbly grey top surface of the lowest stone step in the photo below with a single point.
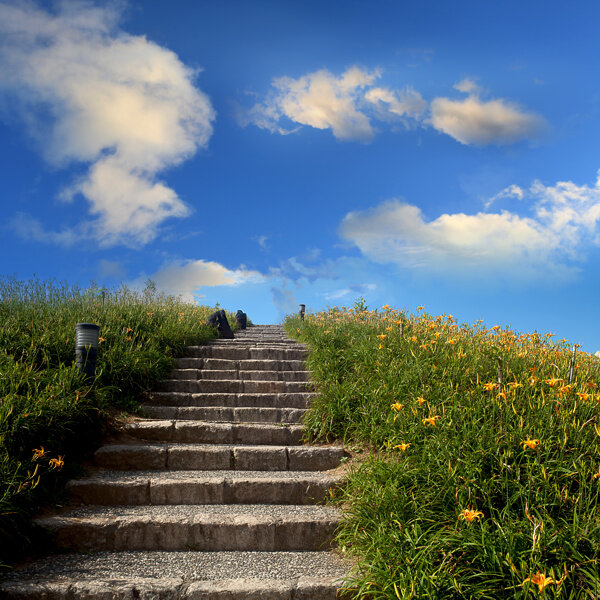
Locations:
(182, 566)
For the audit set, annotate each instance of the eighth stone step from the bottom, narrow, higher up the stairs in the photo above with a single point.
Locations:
(234, 386)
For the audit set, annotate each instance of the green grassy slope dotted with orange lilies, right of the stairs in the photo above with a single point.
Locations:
(421, 394)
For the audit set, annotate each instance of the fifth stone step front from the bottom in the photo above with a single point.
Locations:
(203, 432)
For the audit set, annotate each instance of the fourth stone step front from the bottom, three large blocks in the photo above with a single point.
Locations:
(218, 456)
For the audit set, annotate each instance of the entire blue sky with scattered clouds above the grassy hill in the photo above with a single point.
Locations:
(264, 154)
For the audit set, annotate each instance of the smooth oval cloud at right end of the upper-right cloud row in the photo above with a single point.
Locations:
(475, 121)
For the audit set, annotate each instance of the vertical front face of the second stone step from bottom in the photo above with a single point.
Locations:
(146, 534)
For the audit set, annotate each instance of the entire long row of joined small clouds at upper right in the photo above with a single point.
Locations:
(349, 103)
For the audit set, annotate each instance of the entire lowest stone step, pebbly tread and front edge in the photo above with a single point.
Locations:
(184, 575)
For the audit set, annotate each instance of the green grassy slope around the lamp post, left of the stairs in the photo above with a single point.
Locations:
(50, 417)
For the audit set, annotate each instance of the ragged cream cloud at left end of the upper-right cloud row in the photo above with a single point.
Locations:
(320, 100)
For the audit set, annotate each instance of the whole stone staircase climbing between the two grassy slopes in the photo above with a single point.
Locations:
(211, 498)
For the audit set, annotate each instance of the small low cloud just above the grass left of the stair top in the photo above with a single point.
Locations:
(187, 278)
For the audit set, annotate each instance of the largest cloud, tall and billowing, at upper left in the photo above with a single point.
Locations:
(94, 94)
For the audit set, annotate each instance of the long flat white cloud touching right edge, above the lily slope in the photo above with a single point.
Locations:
(564, 218)
